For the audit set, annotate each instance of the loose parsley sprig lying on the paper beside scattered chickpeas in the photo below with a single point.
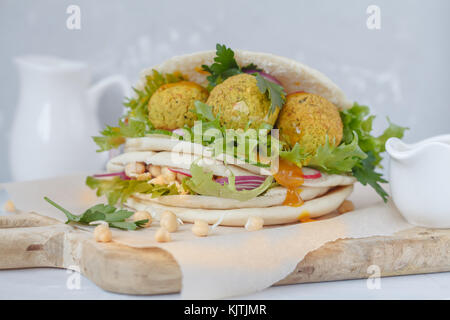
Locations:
(116, 218)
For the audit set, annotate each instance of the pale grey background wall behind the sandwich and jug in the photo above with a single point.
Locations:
(401, 70)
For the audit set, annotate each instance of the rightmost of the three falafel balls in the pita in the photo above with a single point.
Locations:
(307, 118)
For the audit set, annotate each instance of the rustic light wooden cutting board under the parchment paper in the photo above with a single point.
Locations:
(28, 240)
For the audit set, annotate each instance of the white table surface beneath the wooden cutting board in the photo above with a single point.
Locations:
(46, 283)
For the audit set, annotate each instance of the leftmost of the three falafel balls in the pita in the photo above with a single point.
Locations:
(169, 106)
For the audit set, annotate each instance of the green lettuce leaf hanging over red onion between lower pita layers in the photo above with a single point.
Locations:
(203, 183)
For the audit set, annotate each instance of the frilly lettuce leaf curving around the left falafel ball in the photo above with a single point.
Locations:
(136, 123)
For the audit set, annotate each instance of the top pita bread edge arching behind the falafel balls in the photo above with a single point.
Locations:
(293, 75)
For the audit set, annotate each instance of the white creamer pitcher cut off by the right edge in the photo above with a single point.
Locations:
(420, 180)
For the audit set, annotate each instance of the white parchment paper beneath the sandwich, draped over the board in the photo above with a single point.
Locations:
(231, 261)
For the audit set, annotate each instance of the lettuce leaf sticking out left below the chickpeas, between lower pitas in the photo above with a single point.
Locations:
(118, 190)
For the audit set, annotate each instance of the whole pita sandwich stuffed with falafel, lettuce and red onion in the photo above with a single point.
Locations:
(226, 135)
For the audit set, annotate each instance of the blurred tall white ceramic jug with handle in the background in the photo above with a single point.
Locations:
(55, 118)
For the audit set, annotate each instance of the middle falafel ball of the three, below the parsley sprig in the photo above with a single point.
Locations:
(240, 103)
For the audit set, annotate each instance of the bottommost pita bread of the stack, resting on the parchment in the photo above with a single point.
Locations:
(238, 217)
